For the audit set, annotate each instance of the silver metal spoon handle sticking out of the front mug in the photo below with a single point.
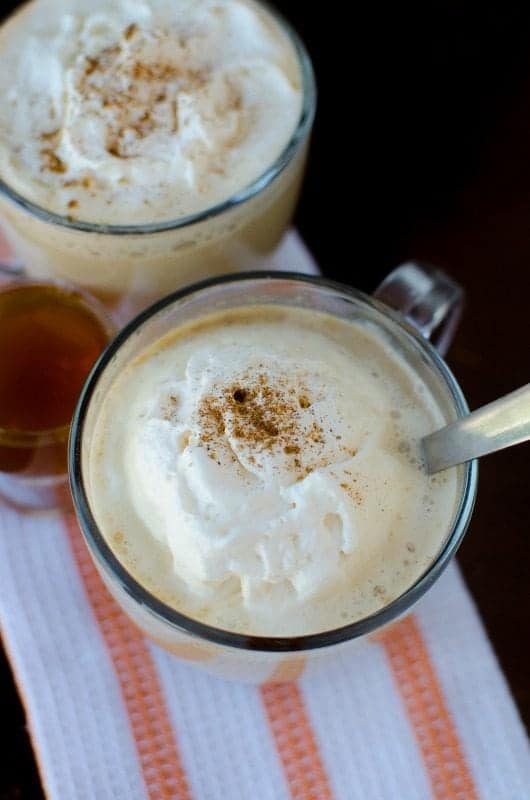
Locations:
(500, 424)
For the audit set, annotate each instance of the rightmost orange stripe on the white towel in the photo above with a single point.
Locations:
(434, 729)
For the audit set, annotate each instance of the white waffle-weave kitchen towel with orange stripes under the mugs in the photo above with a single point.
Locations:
(421, 711)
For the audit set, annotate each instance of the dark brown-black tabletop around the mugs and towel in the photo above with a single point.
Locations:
(422, 149)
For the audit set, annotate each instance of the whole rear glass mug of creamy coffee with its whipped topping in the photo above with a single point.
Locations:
(125, 123)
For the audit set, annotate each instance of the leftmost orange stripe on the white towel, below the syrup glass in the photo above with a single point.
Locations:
(160, 762)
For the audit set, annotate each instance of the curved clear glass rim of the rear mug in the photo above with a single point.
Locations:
(255, 187)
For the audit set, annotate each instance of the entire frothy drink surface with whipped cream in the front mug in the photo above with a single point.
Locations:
(259, 470)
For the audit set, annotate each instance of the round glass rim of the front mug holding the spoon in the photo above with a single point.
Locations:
(104, 556)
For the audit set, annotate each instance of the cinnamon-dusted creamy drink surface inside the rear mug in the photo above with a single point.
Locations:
(138, 111)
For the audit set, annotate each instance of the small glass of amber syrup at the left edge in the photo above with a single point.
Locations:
(50, 337)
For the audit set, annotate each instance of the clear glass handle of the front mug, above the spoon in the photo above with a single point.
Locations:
(427, 297)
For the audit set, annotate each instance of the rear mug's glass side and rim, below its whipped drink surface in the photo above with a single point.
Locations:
(128, 267)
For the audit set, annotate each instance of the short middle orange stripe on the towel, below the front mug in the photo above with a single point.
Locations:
(295, 742)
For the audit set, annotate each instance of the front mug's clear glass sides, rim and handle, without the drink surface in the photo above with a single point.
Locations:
(428, 299)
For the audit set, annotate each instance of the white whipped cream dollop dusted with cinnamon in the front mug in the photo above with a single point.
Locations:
(242, 463)
